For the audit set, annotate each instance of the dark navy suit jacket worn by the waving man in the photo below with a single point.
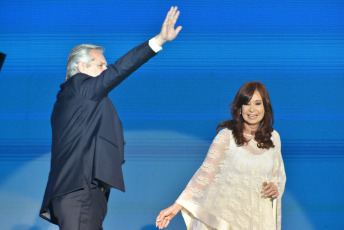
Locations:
(87, 134)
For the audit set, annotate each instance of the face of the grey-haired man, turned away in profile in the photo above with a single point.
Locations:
(98, 65)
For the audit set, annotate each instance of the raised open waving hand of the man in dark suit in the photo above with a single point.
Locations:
(168, 33)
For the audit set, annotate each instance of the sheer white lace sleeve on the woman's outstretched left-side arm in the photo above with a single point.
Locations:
(210, 168)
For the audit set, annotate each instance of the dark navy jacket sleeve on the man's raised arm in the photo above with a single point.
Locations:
(95, 88)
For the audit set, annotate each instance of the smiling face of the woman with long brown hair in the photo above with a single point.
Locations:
(253, 112)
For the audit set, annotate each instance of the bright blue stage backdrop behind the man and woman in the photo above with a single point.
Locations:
(171, 106)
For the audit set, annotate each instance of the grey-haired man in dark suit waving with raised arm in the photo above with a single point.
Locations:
(87, 136)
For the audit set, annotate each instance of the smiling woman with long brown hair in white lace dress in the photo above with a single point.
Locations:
(242, 179)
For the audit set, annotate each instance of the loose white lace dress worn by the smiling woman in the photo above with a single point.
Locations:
(226, 191)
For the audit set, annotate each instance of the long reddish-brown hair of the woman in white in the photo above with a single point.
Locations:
(263, 133)
